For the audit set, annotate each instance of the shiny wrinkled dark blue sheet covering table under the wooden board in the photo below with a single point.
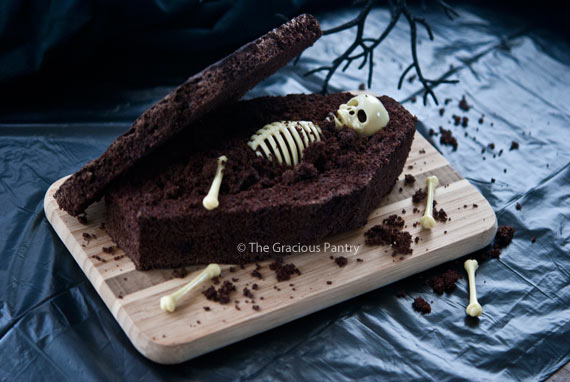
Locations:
(516, 75)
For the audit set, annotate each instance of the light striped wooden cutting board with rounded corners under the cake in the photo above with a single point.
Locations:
(133, 296)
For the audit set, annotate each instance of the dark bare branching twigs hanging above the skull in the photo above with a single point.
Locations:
(362, 48)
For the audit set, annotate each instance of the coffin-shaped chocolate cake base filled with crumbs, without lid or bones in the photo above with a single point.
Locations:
(156, 214)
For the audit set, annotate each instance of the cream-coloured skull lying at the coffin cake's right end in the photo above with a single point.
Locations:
(365, 114)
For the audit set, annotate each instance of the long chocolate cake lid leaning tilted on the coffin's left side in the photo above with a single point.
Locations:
(224, 81)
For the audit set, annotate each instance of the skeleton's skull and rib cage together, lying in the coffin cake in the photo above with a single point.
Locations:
(286, 141)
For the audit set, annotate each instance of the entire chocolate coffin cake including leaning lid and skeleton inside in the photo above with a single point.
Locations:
(159, 176)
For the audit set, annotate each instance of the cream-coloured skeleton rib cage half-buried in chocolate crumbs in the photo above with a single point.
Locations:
(285, 140)
